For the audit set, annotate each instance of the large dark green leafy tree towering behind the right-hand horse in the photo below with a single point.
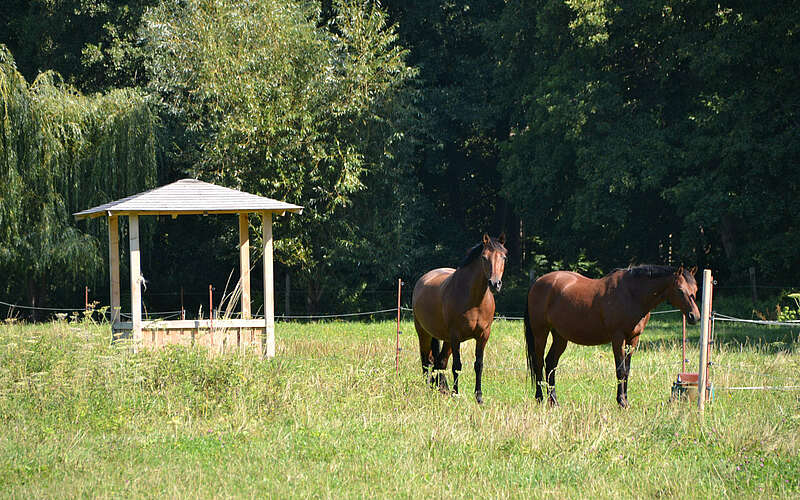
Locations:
(644, 131)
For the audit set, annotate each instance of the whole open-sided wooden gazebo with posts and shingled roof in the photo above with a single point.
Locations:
(184, 197)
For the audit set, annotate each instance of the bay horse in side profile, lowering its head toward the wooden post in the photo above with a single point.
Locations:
(585, 311)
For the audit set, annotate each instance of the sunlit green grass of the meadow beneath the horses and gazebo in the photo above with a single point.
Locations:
(329, 417)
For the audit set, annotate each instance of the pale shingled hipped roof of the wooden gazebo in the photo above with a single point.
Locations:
(189, 196)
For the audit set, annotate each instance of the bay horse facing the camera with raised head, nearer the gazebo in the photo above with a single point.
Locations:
(455, 305)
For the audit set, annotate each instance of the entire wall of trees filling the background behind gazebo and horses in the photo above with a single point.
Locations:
(594, 133)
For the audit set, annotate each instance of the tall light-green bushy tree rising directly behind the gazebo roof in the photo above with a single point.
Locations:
(278, 102)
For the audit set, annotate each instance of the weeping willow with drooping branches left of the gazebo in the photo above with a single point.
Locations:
(60, 152)
